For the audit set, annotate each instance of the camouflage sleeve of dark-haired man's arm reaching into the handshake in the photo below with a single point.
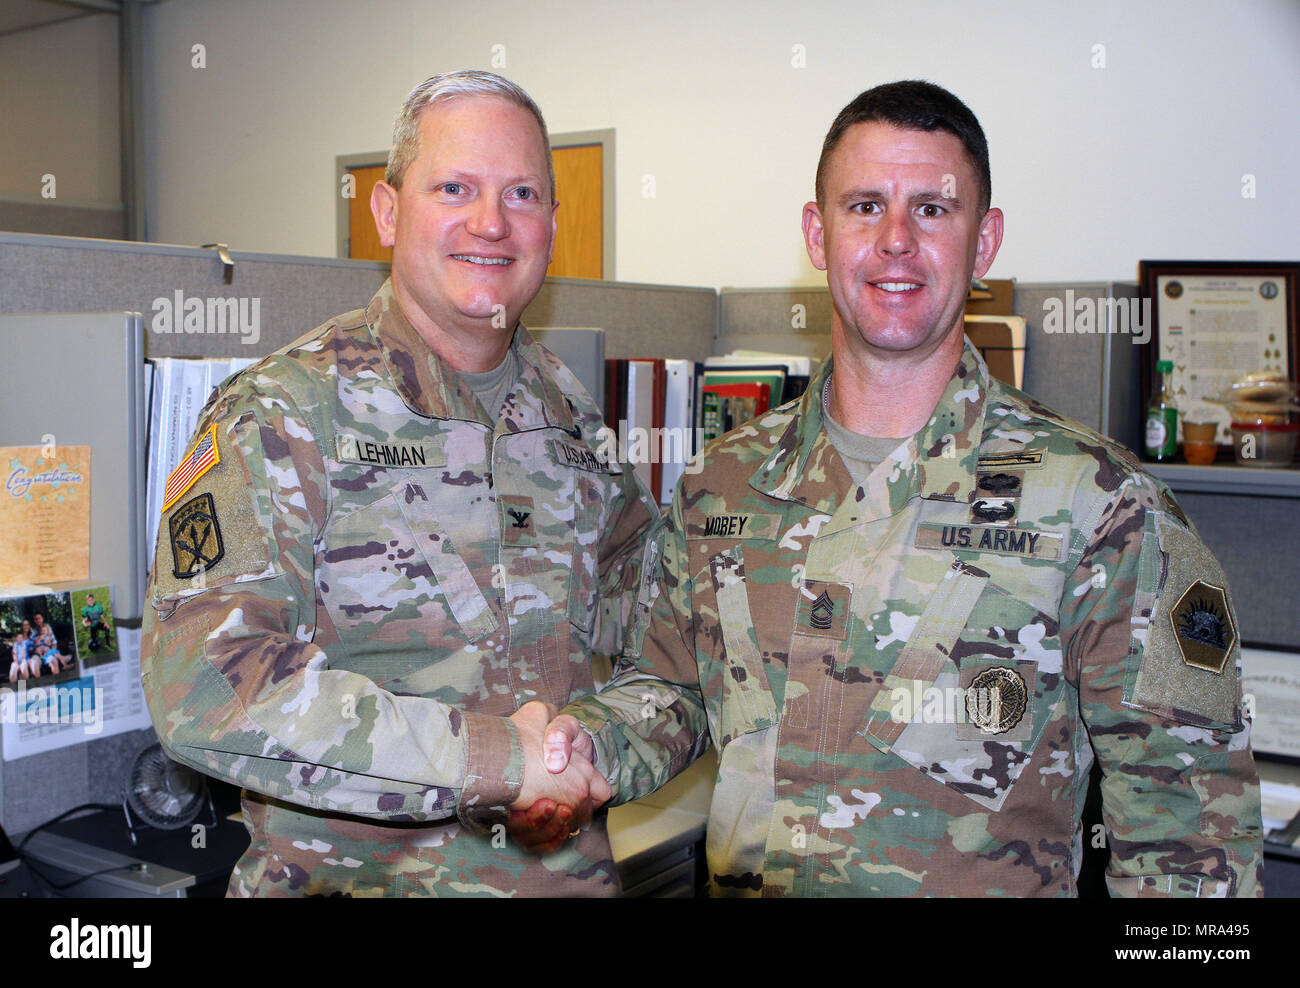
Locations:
(649, 721)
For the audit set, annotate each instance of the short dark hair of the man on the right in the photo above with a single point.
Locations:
(913, 105)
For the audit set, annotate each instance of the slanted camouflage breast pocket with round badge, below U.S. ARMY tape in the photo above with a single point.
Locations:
(976, 717)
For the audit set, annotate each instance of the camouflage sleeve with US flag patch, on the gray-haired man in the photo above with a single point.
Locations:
(236, 681)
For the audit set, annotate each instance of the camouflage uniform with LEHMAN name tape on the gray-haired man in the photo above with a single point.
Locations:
(349, 605)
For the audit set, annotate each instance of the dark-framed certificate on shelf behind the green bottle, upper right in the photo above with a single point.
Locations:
(1217, 322)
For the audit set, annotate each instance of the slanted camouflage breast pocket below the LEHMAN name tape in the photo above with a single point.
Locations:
(397, 588)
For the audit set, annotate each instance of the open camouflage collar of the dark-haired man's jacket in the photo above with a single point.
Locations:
(939, 462)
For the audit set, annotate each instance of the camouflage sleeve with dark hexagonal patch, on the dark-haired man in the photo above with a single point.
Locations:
(1150, 632)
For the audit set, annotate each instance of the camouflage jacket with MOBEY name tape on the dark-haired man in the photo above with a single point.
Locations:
(909, 682)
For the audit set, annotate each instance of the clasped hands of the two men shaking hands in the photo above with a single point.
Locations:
(561, 788)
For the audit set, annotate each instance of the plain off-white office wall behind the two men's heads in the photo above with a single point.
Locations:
(1097, 167)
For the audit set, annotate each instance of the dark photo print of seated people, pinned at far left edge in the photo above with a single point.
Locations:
(37, 640)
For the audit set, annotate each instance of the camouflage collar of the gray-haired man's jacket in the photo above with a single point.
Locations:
(431, 388)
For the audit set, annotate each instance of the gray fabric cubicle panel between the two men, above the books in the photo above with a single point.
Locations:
(639, 320)
